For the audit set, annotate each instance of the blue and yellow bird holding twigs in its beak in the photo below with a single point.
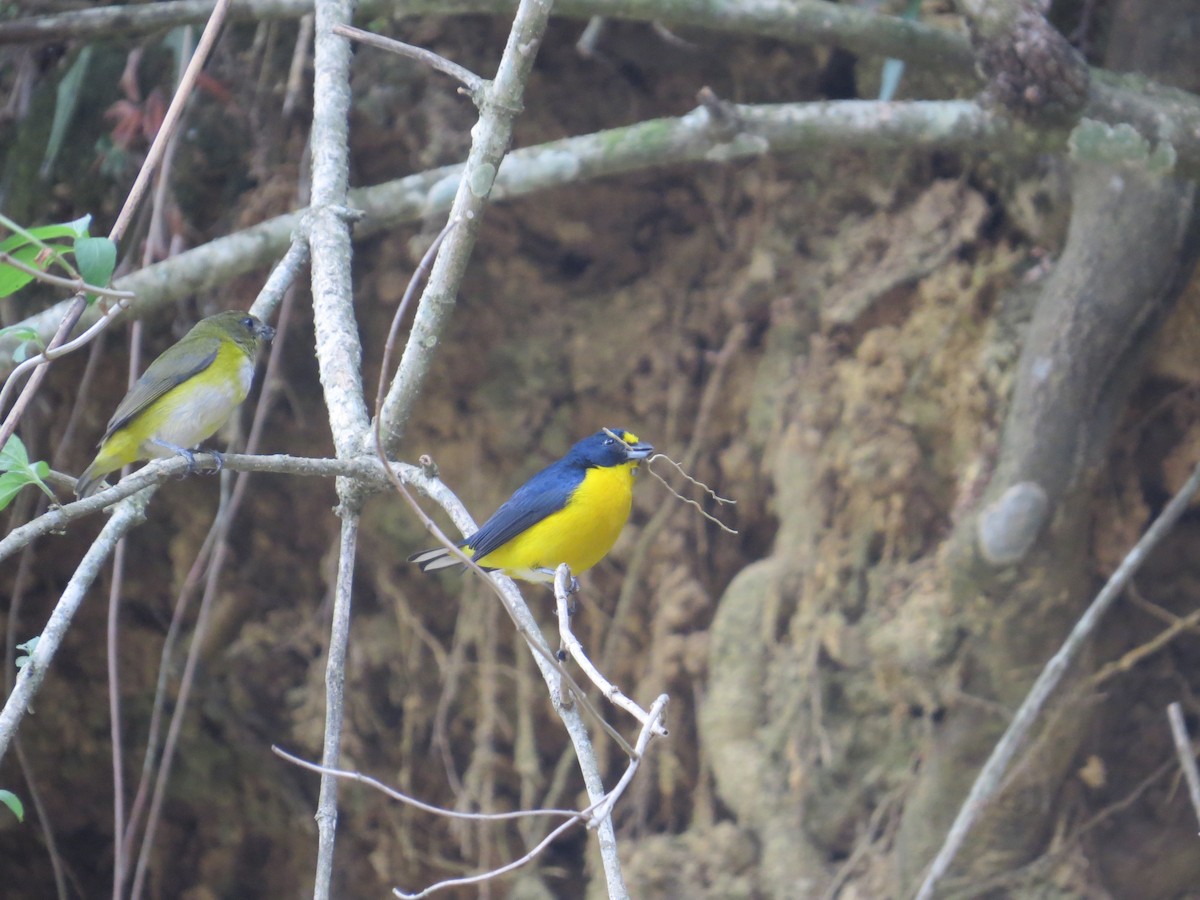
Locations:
(572, 513)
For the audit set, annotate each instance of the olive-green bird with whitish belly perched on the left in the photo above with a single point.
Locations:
(184, 398)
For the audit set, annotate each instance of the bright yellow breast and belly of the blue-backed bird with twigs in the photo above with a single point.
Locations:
(580, 535)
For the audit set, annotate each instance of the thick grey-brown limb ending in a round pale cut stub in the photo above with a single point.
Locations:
(1130, 236)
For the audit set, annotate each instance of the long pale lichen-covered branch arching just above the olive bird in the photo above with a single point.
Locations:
(692, 139)
